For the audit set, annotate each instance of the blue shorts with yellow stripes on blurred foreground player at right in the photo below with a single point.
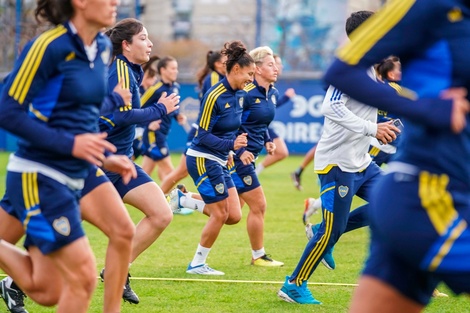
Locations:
(420, 235)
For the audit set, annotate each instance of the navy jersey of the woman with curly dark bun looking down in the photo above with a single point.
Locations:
(219, 120)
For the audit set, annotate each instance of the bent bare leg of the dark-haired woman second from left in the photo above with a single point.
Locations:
(149, 199)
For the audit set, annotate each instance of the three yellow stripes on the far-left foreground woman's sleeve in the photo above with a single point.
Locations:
(22, 82)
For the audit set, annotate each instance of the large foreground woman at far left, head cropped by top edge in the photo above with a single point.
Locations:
(51, 102)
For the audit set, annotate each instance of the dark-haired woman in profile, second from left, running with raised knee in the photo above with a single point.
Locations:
(131, 48)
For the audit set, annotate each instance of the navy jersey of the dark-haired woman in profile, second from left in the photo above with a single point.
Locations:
(120, 124)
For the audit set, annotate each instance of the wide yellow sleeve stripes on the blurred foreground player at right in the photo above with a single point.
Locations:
(373, 29)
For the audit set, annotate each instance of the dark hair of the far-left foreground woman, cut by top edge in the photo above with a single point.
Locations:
(54, 11)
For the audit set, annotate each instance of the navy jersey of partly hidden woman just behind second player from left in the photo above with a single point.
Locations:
(153, 94)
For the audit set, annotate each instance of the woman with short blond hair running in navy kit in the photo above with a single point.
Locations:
(258, 112)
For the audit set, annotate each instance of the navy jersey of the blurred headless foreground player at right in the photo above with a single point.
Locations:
(434, 56)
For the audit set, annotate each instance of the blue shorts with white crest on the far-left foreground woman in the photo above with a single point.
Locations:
(48, 210)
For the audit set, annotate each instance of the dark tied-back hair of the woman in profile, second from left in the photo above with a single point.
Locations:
(124, 30)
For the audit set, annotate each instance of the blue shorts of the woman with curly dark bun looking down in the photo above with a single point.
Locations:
(212, 180)
